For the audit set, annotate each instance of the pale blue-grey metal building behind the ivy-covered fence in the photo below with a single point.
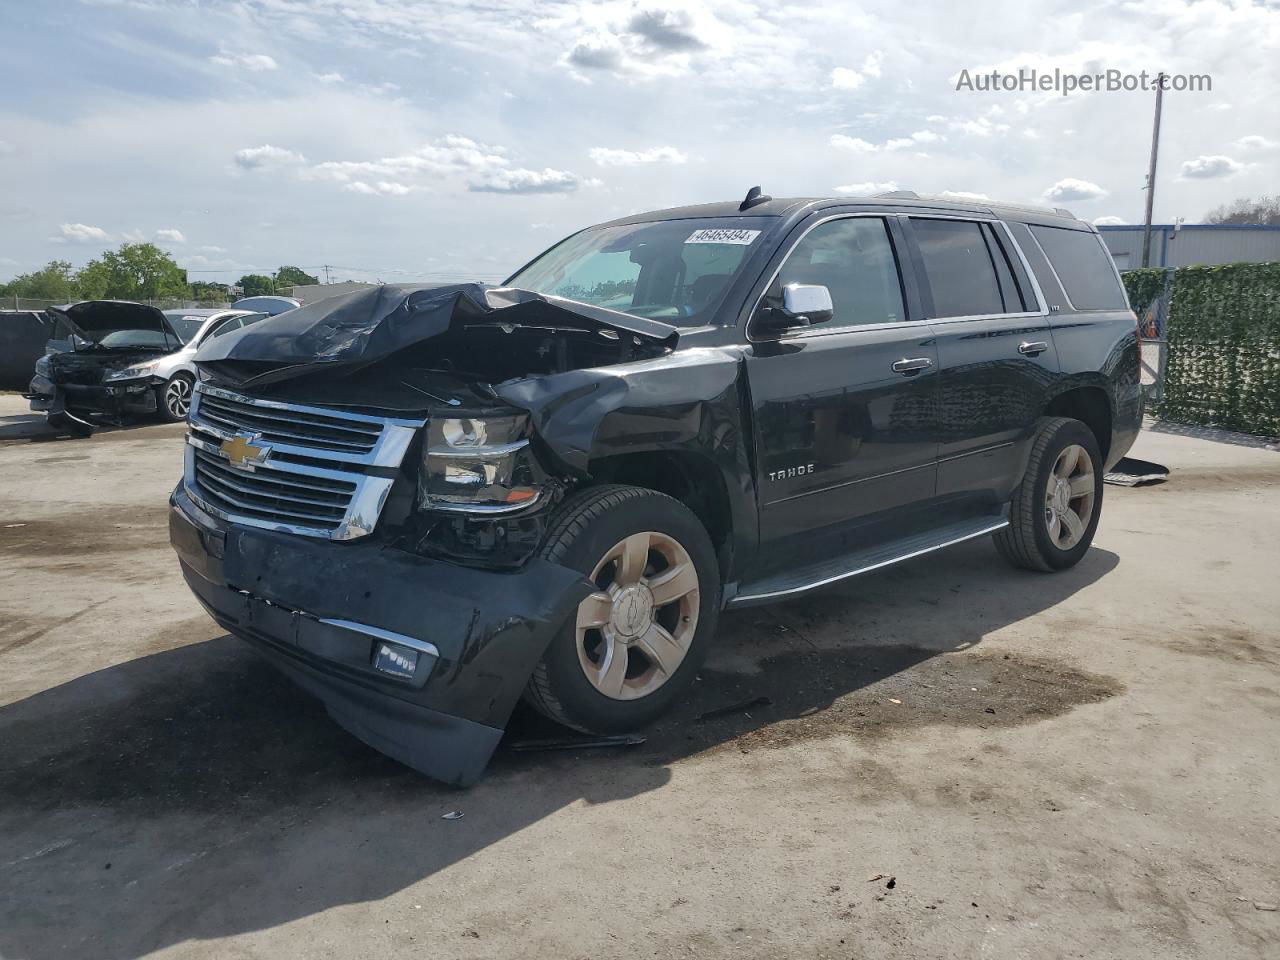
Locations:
(1183, 245)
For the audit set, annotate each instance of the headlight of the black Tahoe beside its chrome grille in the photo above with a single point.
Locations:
(478, 465)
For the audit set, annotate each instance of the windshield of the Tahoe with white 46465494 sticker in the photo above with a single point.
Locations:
(673, 271)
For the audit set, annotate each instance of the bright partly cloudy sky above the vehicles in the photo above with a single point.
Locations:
(418, 140)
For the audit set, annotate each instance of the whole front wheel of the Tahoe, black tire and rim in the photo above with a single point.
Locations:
(638, 642)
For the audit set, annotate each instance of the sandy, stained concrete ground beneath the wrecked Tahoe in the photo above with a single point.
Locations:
(1072, 766)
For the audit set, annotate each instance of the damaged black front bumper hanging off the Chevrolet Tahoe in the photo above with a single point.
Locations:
(322, 612)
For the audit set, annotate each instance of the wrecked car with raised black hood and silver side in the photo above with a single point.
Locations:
(118, 359)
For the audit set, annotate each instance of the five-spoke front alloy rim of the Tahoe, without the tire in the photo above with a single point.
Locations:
(634, 632)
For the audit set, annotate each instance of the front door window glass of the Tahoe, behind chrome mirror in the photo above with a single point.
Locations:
(854, 259)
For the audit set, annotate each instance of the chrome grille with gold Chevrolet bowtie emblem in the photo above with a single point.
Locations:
(284, 467)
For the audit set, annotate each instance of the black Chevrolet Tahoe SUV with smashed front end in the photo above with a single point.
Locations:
(424, 504)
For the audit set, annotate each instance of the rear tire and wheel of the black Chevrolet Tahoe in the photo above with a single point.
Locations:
(1055, 510)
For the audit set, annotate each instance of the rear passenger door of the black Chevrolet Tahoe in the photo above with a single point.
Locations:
(995, 353)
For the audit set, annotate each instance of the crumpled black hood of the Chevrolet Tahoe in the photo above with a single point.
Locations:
(368, 326)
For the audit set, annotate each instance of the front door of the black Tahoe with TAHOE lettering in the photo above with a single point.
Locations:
(845, 412)
